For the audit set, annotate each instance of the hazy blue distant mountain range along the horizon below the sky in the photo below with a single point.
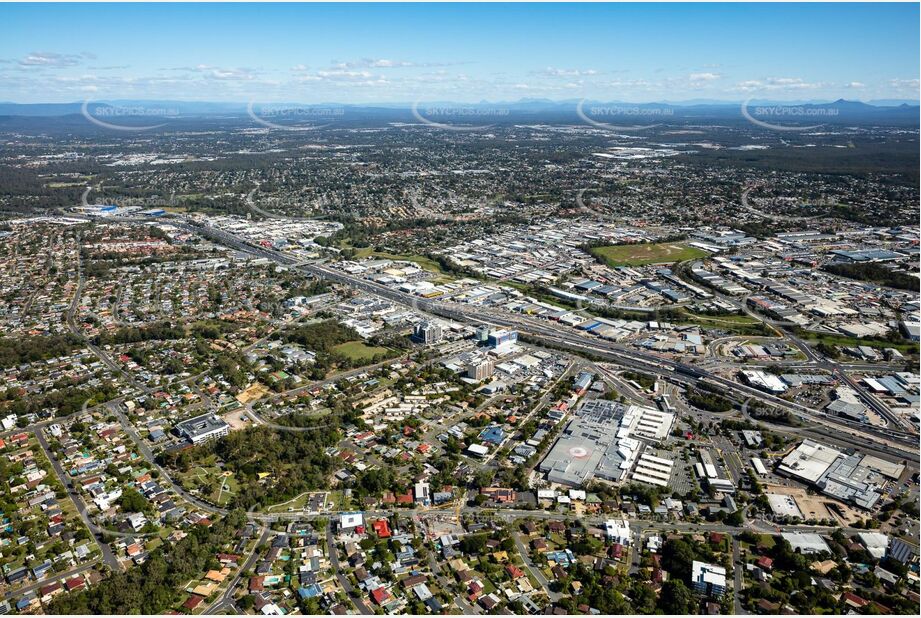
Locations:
(524, 111)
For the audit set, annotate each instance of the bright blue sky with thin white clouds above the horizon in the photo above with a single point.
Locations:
(353, 53)
